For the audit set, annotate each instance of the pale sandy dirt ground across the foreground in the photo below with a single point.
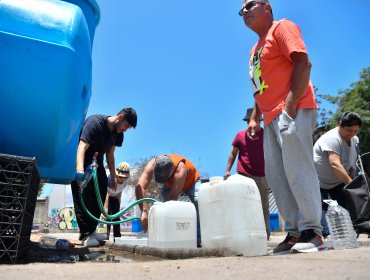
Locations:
(331, 264)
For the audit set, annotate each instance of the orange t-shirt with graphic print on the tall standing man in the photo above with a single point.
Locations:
(271, 69)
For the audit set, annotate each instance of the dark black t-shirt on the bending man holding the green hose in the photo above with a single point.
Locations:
(95, 132)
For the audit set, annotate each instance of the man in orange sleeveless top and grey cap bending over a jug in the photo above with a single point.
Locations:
(177, 174)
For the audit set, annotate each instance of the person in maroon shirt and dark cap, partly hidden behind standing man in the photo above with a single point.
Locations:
(251, 164)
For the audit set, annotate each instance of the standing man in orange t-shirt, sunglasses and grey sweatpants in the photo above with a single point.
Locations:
(280, 76)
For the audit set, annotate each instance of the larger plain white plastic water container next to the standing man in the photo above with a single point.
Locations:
(231, 216)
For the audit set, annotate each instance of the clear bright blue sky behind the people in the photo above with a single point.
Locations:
(183, 66)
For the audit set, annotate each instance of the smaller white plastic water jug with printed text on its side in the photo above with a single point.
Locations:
(172, 224)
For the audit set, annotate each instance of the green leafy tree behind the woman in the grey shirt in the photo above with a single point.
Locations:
(354, 99)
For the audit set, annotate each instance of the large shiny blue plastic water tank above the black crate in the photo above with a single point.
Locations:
(45, 82)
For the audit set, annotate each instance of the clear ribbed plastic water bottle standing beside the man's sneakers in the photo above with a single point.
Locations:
(340, 227)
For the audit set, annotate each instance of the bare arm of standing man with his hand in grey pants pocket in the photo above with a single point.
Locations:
(300, 79)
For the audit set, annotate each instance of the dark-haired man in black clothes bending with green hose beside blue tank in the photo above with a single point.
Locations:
(100, 134)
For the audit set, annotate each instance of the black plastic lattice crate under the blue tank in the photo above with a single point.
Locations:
(19, 183)
